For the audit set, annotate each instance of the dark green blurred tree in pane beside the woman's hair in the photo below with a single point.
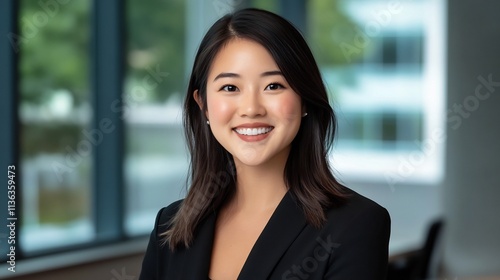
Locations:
(155, 31)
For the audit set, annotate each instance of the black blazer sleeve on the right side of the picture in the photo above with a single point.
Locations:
(364, 253)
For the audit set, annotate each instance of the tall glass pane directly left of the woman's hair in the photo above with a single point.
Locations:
(156, 158)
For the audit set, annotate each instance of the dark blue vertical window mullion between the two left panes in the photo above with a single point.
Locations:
(107, 76)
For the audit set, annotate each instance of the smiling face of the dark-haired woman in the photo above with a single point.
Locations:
(253, 112)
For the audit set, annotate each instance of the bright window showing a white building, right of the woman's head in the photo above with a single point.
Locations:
(383, 64)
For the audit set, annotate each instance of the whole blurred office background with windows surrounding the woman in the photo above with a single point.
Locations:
(91, 95)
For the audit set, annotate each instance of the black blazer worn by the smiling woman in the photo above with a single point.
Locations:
(353, 244)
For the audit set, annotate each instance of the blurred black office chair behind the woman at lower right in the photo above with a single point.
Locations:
(417, 265)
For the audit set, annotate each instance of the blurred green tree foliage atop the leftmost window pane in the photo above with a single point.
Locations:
(54, 47)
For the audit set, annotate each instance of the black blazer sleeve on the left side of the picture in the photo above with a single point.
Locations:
(155, 253)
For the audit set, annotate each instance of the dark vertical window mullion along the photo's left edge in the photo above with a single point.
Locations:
(9, 122)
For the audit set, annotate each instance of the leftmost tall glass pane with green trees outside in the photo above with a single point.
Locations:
(55, 117)
